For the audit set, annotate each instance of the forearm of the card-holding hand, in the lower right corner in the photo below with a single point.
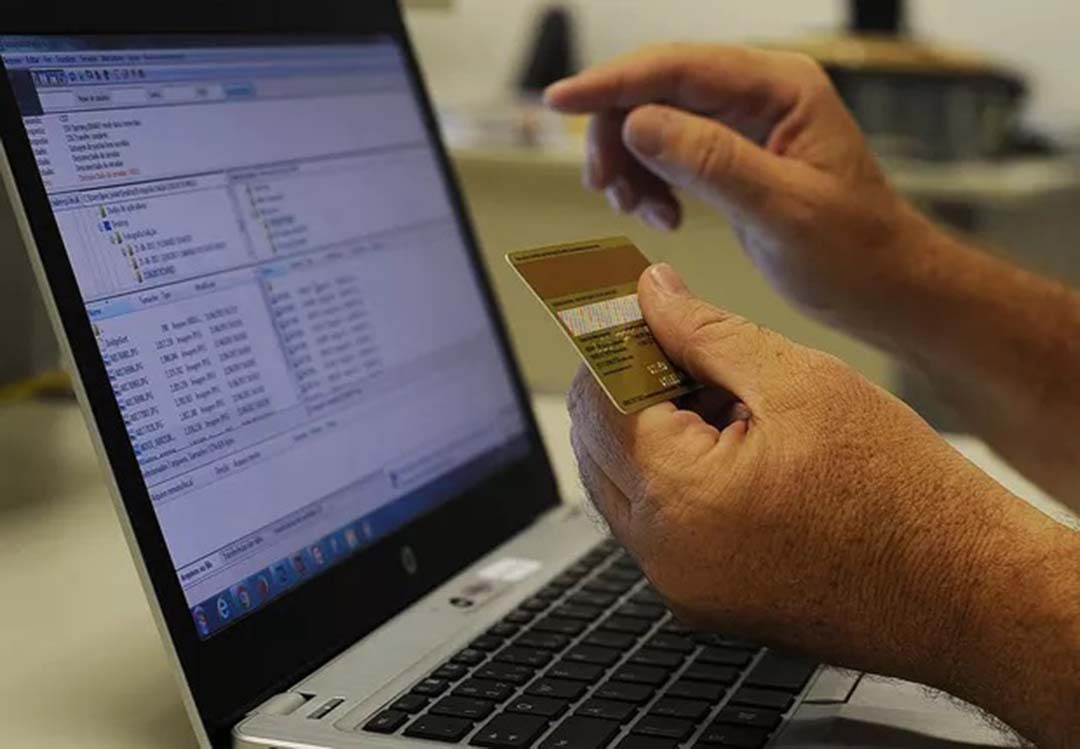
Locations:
(1019, 657)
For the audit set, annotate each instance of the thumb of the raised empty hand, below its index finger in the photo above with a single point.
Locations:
(703, 156)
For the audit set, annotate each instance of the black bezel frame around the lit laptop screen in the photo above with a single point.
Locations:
(269, 651)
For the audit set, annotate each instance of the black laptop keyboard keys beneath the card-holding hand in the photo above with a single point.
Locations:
(596, 660)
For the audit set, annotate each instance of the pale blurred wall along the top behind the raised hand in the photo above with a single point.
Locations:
(472, 52)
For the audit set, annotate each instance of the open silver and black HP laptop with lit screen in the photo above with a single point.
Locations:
(321, 451)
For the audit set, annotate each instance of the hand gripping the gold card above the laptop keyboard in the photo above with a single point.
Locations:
(793, 501)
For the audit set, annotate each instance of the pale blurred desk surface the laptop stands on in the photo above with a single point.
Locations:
(82, 664)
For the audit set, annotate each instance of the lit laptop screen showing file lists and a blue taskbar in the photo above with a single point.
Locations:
(287, 309)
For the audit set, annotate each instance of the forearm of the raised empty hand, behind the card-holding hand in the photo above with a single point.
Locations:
(1002, 346)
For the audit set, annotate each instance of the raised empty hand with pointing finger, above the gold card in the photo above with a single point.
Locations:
(764, 138)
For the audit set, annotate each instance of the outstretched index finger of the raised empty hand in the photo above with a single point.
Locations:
(696, 77)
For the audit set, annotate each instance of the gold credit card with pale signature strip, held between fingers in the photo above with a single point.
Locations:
(591, 291)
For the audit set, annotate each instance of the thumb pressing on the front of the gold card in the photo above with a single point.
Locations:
(715, 347)
